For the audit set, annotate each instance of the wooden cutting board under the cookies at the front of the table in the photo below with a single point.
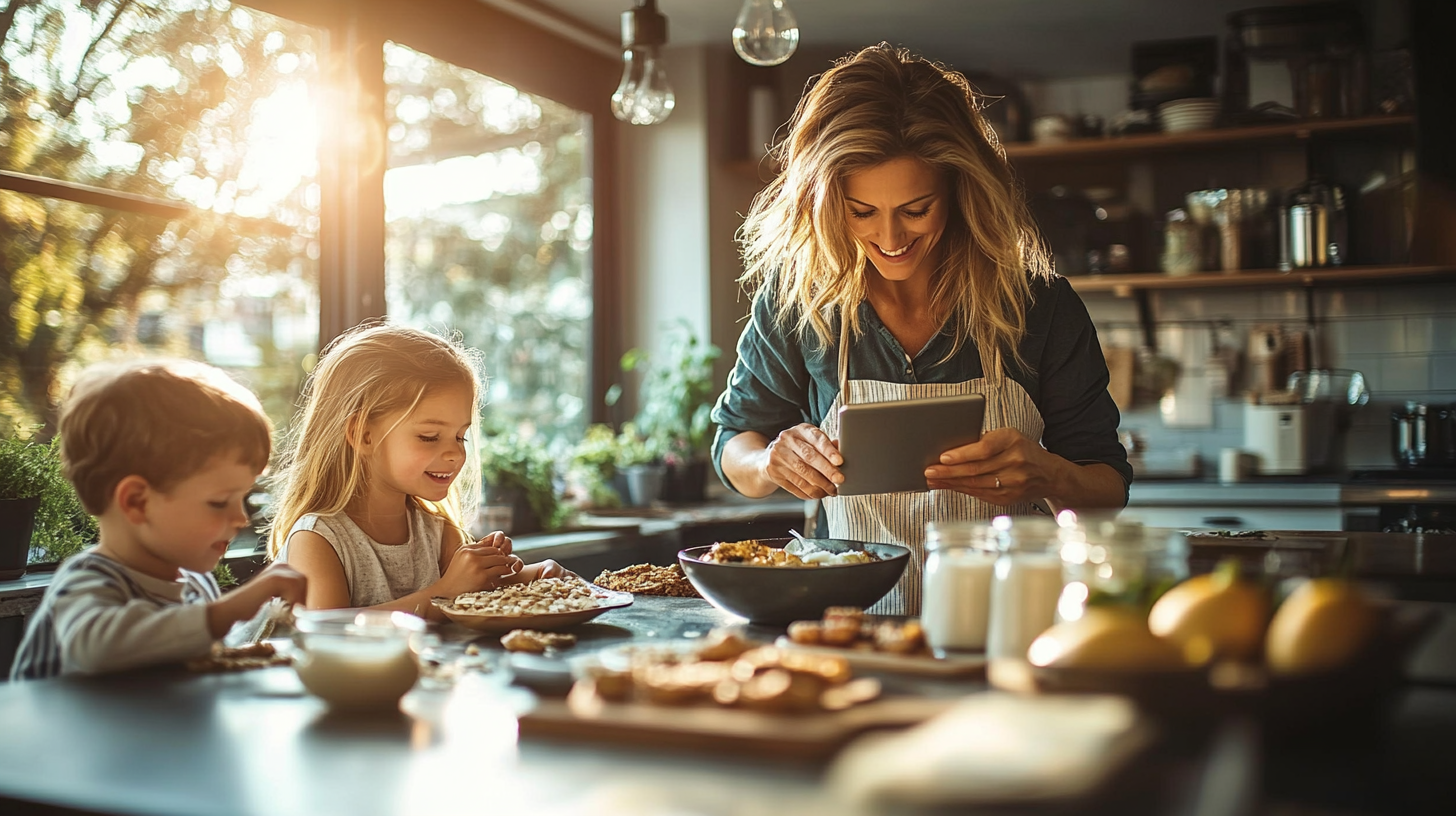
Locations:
(719, 729)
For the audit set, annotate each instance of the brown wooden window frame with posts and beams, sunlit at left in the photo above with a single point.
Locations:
(353, 161)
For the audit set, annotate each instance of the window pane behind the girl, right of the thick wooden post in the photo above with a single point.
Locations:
(488, 232)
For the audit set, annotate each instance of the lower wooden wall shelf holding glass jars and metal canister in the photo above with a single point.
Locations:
(1126, 285)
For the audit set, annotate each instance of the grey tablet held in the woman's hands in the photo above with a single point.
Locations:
(887, 447)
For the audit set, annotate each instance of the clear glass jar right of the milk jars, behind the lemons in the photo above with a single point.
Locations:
(1119, 563)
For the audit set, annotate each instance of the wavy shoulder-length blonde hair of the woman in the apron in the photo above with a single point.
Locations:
(873, 107)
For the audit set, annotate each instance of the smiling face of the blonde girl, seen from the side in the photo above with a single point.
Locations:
(424, 452)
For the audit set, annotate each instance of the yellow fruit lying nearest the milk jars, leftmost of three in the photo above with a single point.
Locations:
(1104, 639)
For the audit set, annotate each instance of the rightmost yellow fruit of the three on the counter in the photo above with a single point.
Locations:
(1321, 626)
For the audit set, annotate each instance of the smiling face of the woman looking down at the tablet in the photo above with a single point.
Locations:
(898, 213)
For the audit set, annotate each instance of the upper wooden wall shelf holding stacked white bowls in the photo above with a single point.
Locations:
(1291, 133)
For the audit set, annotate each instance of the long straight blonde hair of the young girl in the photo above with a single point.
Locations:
(368, 374)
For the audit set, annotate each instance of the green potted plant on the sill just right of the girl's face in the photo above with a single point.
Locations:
(521, 484)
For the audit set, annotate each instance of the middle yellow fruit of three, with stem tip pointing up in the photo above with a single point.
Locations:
(1214, 616)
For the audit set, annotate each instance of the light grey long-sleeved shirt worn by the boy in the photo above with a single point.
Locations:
(100, 616)
